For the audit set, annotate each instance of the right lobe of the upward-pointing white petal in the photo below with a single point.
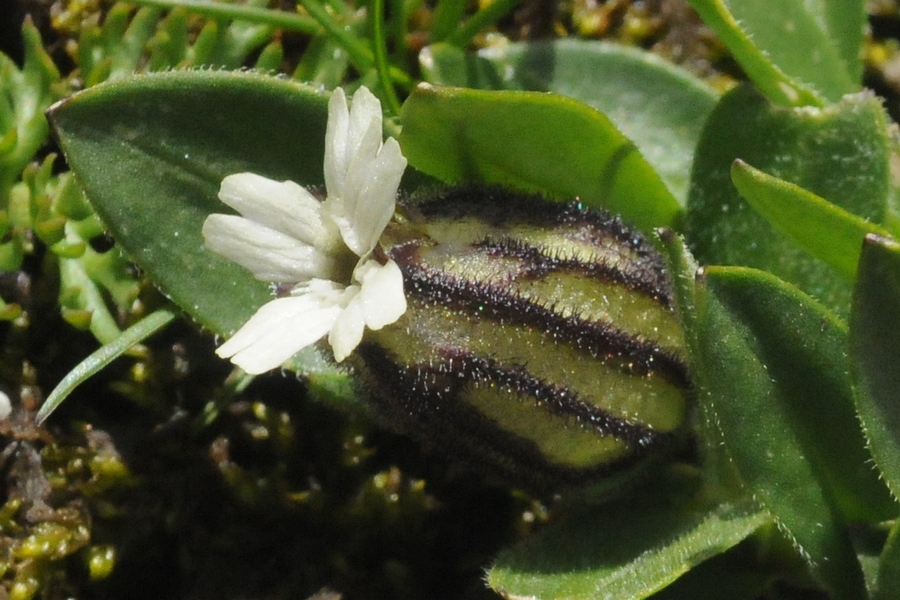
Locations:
(370, 196)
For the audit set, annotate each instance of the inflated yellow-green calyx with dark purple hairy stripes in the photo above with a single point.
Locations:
(539, 343)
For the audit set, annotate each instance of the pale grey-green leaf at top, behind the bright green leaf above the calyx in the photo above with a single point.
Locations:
(657, 105)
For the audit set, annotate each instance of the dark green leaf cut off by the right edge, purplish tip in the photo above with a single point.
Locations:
(875, 350)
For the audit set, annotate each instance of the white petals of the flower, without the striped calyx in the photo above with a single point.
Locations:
(287, 237)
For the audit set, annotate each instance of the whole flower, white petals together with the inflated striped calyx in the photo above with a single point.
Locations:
(538, 339)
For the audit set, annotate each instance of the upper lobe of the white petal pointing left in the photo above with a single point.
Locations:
(281, 205)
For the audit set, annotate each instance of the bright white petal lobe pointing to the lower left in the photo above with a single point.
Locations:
(278, 330)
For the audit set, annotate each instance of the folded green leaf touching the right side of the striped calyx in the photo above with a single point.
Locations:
(775, 377)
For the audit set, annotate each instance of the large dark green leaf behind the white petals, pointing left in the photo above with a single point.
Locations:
(150, 153)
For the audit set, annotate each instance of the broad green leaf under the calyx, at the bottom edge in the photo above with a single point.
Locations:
(629, 548)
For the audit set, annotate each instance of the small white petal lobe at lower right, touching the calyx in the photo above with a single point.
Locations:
(381, 296)
